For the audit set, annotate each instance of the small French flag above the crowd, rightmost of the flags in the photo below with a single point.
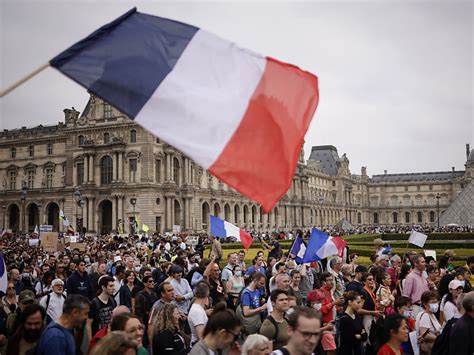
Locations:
(321, 246)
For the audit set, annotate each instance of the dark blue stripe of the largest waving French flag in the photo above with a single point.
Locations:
(125, 61)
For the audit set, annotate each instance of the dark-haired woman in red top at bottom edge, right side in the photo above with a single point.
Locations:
(395, 333)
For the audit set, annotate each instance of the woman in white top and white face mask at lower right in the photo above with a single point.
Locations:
(427, 326)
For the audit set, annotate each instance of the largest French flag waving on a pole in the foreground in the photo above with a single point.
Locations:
(234, 112)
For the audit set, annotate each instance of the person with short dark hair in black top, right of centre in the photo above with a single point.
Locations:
(351, 329)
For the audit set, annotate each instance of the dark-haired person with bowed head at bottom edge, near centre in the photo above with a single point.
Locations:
(220, 334)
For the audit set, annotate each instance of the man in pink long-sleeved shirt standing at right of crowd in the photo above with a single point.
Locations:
(416, 283)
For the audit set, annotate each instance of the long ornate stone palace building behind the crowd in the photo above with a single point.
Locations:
(104, 171)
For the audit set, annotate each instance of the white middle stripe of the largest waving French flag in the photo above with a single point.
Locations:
(204, 98)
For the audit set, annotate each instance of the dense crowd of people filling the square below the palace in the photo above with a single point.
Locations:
(159, 295)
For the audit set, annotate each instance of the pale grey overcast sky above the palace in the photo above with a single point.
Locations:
(396, 77)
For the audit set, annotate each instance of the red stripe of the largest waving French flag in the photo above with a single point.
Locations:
(260, 159)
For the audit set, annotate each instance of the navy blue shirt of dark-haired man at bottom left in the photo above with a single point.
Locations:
(56, 340)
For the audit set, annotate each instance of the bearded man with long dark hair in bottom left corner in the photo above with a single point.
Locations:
(28, 333)
